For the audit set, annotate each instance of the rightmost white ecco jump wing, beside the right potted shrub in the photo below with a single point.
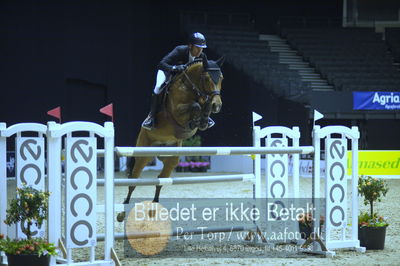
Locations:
(336, 217)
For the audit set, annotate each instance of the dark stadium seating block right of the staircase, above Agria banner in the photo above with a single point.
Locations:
(349, 58)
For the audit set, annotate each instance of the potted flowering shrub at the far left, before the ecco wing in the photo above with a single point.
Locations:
(29, 206)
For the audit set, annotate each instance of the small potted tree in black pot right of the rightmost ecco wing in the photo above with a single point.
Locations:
(371, 226)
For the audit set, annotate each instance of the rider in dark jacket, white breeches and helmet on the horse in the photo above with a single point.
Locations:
(172, 64)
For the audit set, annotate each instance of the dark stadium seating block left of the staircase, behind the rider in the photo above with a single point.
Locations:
(245, 51)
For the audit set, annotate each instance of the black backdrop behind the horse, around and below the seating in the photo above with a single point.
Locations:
(82, 55)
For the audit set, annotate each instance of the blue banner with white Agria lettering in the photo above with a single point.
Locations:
(376, 100)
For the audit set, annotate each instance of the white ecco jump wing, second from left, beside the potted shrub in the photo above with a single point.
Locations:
(81, 184)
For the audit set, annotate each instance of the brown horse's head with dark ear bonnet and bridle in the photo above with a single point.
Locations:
(211, 81)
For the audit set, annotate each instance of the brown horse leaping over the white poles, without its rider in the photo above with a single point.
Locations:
(192, 96)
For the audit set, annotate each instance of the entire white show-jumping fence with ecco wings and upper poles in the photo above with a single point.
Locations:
(81, 179)
